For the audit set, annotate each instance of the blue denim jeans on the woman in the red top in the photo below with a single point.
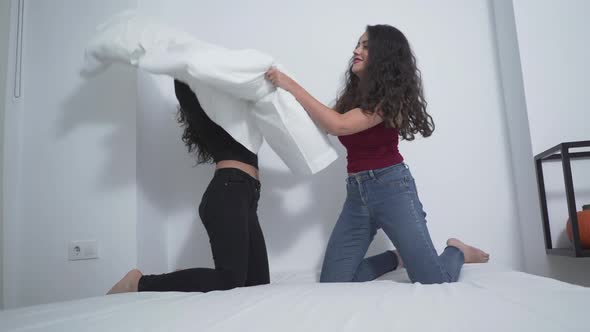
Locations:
(385, 198)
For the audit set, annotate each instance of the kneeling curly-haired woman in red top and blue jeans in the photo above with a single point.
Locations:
(381, 101)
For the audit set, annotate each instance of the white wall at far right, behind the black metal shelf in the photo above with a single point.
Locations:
(554, 55)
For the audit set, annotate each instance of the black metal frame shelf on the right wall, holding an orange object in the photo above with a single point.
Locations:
(561, 152)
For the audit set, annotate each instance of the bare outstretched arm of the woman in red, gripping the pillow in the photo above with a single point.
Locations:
(331, 121)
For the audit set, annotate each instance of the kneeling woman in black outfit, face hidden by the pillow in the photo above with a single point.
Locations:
(227, 210)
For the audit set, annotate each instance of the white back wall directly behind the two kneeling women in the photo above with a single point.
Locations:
(463, 171)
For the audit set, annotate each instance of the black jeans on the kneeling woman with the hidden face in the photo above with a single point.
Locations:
(228, 211)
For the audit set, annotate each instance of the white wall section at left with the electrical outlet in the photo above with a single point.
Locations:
(70, 165)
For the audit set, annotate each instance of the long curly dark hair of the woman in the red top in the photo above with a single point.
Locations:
(392, 84)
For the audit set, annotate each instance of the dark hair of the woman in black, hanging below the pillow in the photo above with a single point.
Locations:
(189, 114)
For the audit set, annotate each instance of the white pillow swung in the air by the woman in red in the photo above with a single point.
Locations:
(230, 85)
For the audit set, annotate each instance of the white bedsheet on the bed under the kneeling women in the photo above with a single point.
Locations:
(485, 299)
